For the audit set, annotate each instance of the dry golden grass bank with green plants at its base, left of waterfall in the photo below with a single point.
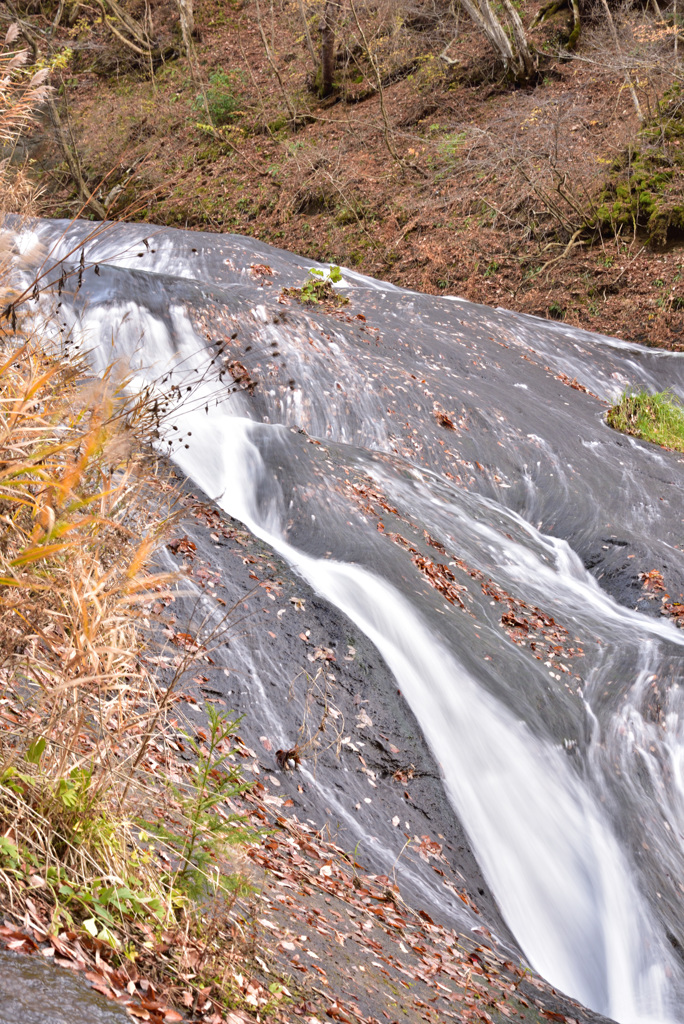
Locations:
(95, 839)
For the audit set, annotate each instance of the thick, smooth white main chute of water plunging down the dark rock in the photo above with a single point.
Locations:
(557, 870)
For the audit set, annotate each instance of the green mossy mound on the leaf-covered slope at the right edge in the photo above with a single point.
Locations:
(646, 188)
